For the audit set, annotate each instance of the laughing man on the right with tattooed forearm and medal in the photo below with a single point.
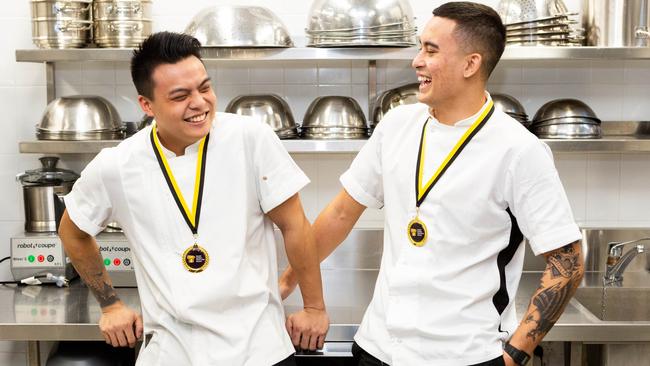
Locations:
(461, 184)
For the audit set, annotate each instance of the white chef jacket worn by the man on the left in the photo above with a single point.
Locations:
(231, 313)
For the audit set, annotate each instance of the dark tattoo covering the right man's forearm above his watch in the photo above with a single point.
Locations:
(561, 278)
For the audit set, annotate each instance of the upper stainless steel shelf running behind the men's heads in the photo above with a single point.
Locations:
(306, 53)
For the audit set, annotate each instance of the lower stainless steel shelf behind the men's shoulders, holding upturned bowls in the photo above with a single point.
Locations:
(605, 145)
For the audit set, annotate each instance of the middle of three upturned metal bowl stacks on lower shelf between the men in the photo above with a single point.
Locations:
(334, 117)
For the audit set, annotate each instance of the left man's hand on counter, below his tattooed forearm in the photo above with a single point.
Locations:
(120, 325)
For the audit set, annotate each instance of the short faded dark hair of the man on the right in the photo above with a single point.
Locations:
(479, 28)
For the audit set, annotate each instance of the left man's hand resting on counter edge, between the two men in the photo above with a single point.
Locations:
(307, 328)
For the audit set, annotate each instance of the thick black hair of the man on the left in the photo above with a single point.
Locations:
(160, 48)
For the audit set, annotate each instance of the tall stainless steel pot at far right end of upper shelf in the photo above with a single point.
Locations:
(618, 23)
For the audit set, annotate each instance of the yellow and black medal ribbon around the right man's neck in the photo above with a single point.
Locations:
(421, 191)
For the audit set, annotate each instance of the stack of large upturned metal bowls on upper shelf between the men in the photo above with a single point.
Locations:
(335, 23)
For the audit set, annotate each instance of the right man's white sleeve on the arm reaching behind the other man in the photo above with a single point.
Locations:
(364, 179)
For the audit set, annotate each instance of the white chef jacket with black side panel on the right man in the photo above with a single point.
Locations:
(450, 302)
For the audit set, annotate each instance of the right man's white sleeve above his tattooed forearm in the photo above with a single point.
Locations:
(538, 200)
